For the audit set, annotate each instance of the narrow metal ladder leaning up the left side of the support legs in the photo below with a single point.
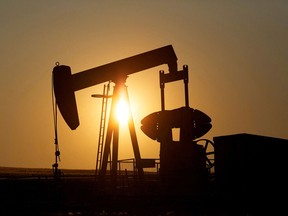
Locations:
(102, 127)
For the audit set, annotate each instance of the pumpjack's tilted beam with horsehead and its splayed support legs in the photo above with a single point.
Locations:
(66, 83)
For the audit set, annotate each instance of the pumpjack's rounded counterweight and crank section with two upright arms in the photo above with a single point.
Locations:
(183, 162)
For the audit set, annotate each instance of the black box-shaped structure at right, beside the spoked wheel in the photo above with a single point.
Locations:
(250, 171)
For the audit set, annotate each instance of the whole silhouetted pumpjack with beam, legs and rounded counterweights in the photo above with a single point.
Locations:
(184, 157)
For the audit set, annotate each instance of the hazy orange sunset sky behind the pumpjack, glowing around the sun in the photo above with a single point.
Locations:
(236, 51)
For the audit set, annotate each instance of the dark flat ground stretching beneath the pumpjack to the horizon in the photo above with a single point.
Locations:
(79, 192)
